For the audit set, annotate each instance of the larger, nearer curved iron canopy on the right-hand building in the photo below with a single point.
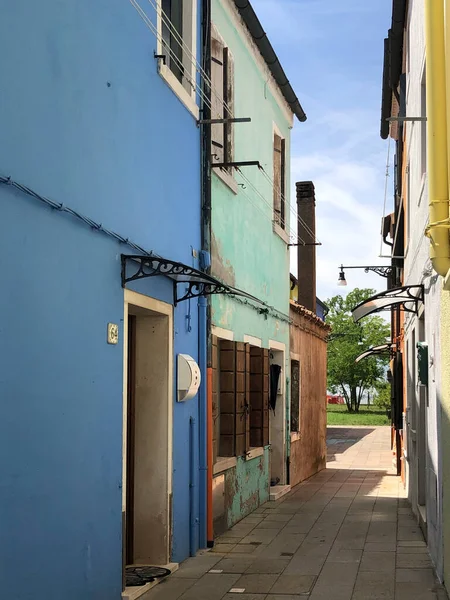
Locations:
(406, 297)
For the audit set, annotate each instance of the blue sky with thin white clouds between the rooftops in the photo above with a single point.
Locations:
(332, 52)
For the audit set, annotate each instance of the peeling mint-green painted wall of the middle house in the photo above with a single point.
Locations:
(246, 253)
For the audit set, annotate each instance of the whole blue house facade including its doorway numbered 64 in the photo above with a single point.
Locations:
(91, 120)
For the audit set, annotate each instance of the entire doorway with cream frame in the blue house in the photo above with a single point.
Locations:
(147, 450)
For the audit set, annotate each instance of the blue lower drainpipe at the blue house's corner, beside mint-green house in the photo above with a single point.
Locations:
(203, 423)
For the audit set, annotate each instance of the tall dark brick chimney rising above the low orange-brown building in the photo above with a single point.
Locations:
(306, 268)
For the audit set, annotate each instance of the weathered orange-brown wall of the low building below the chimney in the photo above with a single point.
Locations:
(308, 346)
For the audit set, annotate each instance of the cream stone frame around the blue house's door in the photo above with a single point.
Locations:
(154, 306)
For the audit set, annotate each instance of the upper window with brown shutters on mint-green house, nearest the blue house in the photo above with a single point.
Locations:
(222, 99)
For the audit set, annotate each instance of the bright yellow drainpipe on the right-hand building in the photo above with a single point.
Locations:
(437, 75)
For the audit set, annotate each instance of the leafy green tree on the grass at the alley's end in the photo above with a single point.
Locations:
(347, 341)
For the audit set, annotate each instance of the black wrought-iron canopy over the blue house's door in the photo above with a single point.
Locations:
(196, 283)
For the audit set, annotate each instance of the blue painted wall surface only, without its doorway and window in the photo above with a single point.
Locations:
(127, 155)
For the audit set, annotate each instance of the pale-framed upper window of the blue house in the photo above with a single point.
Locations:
(177, 33)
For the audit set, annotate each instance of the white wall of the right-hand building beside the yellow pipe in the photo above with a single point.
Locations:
(418, 270)
